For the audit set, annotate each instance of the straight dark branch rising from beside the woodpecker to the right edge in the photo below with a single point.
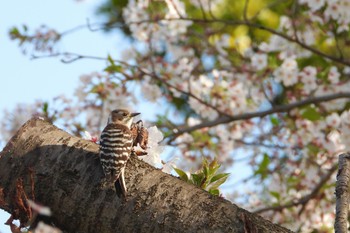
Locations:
(276, 109)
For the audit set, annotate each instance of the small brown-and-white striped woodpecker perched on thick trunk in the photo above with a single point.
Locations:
(116, 144)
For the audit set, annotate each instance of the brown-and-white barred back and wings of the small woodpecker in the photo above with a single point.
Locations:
(115, 148)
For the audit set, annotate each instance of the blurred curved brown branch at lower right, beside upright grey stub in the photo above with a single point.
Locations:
(305, 199)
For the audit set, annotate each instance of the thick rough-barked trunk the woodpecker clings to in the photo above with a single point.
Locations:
(56, 169)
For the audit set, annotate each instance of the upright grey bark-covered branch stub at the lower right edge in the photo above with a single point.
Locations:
(342, 193)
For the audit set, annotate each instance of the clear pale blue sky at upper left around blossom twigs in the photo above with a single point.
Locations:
(24, 80)
